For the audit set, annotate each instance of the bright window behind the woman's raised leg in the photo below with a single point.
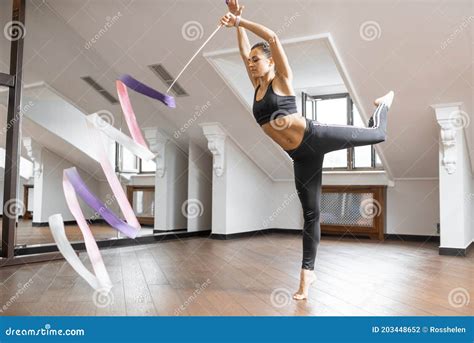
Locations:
(340, 110)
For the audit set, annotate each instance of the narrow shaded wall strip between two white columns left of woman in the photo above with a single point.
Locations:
(199, 189)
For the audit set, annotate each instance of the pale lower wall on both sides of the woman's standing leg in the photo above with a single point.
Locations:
(246, 199)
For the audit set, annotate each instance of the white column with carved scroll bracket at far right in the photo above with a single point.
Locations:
(454, 177)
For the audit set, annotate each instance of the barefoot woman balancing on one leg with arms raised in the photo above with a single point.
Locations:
(305, 141)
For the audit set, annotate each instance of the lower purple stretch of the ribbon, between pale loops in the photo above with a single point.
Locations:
(90, 199)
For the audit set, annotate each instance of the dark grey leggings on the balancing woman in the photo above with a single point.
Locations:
(318, 140)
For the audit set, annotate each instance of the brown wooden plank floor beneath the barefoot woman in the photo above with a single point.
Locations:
(251, 276)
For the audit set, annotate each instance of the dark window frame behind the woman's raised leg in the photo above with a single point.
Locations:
(350, 161)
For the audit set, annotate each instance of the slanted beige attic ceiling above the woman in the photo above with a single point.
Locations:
(420, 49)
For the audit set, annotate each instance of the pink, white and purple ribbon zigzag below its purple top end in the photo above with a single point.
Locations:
(72, 184)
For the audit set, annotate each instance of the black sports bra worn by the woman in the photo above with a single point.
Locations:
(272, 105)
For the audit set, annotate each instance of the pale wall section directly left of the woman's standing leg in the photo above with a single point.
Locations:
(246, 199)
